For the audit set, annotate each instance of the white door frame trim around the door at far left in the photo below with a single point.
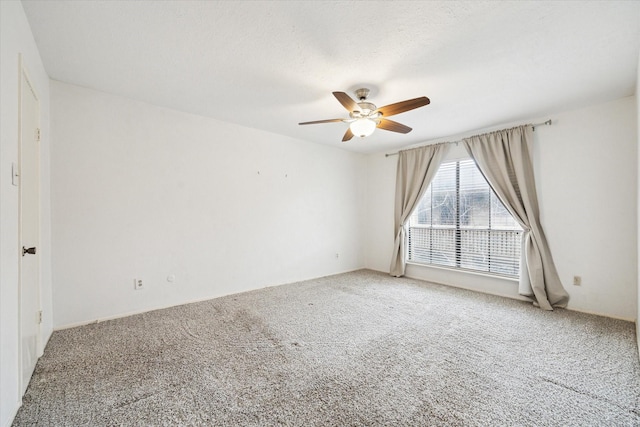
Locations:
(24, 77)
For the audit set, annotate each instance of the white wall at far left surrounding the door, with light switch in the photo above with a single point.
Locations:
(15, 38)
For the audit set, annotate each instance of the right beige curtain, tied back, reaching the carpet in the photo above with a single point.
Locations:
(504, 159)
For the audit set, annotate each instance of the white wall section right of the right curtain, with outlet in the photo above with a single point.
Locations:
(587, 184)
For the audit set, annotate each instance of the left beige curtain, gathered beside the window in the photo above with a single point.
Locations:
(416, 169)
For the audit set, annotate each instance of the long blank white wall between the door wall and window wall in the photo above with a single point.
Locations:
(147, 192)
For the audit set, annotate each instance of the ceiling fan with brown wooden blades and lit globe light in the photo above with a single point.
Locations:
(365, 117)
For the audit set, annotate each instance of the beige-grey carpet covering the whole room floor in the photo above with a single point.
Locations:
(358, 349)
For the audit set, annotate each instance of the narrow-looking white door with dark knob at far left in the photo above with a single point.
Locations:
(29, 255)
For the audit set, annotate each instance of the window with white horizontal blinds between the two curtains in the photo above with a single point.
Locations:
(461, 223)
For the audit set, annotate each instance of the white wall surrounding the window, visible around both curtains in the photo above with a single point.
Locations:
(586, 177)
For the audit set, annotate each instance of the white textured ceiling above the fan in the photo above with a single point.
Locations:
(272, 64)
